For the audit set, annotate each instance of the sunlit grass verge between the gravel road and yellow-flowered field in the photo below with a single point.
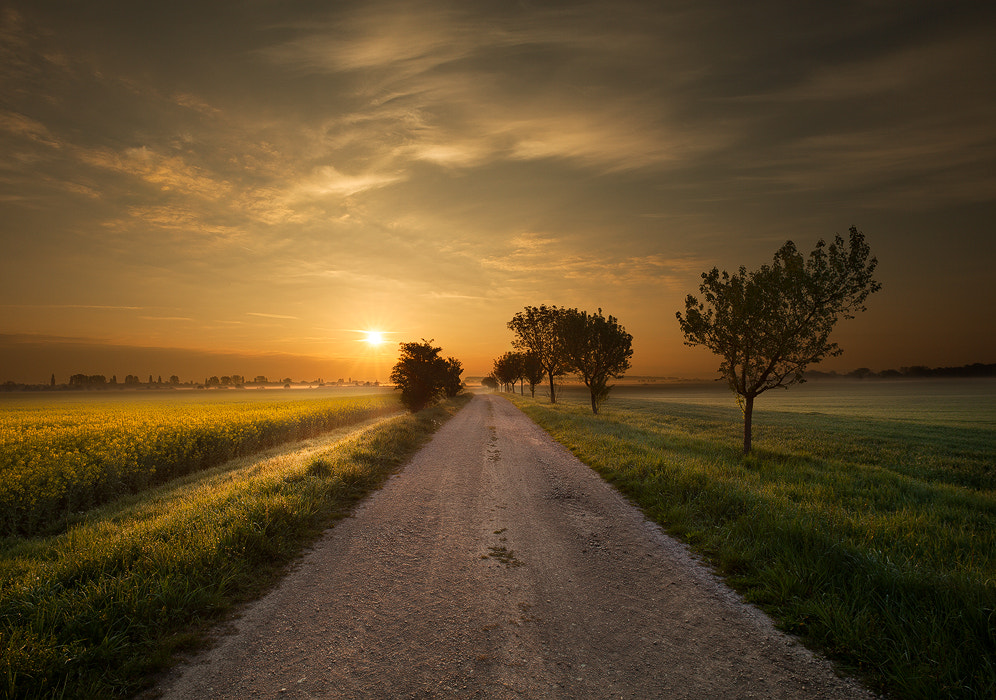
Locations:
(97, 610)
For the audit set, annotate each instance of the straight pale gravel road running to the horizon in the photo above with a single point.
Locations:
(498, 566)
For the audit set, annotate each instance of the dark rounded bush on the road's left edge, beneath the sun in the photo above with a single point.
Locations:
(423, 376)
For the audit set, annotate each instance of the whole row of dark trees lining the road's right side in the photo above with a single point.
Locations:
(766, 325)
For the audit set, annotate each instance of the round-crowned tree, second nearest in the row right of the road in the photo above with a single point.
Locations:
(597, 348)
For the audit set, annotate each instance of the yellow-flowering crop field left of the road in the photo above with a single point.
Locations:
(62, 454)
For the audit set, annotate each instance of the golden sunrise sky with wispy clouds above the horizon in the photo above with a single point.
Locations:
(246, 187)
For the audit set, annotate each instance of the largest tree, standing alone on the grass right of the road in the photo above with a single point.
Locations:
(767, 325)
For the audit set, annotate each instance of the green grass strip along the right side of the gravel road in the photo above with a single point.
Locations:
(874, 541)
